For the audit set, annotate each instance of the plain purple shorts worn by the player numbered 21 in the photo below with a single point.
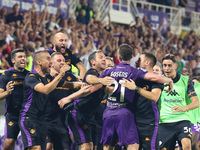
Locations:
(119, 127)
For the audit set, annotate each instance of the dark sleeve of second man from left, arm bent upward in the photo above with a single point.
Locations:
(31, 80)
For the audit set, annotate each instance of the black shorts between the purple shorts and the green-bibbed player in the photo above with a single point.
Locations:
(148, 136)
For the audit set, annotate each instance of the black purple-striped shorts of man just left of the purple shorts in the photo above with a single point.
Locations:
(83, 130)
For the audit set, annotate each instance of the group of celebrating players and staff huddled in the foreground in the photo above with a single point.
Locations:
(138, 108)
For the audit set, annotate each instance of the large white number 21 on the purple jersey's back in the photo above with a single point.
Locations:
(122, 92)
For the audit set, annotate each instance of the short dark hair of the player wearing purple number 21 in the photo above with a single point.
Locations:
(125, 51)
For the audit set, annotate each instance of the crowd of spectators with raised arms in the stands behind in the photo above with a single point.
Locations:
(34, 32)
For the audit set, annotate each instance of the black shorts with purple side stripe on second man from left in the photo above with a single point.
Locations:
(33, 133)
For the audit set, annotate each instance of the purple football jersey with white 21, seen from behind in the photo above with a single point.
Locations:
(121, 96)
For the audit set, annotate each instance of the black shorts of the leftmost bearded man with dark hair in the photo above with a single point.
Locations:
(12, 127)
